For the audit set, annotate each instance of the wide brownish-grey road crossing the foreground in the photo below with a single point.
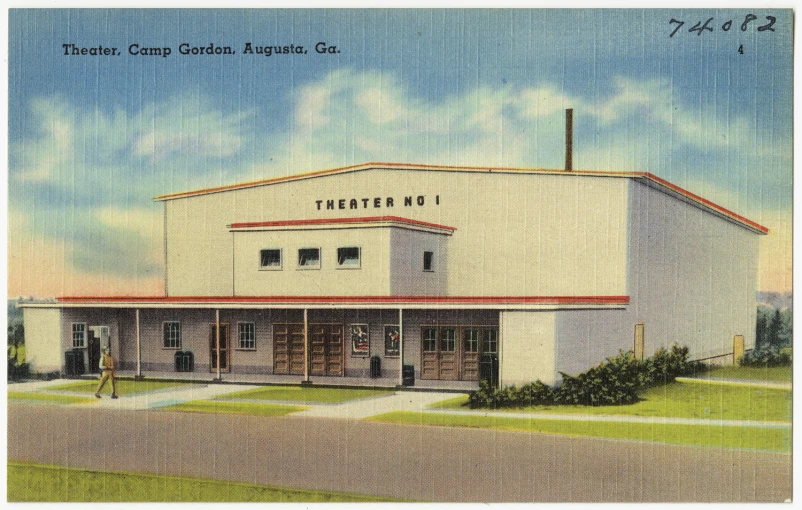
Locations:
(440, 464)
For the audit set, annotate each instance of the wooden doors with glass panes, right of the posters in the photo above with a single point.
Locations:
(453, 353)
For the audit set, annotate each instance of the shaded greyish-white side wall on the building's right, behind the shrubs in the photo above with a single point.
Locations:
(692, 280)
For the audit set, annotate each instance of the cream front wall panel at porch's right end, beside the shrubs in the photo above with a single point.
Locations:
(528, 347)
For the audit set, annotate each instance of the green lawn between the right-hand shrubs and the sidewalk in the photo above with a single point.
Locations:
(682, 400)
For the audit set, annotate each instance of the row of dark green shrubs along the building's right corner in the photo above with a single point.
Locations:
(615, 381)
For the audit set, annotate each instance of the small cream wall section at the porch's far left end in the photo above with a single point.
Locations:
(43, 339)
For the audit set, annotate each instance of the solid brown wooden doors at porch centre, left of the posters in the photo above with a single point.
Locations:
(326, 349)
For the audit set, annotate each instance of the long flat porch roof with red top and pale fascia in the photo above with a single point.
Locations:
(386, 302)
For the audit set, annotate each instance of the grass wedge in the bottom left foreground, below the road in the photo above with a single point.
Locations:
(36, 482)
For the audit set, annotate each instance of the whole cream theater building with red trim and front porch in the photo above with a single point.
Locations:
(317, 276)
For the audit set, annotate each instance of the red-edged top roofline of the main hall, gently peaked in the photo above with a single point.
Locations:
(643, 177)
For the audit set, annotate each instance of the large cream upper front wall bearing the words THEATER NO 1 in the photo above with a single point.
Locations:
(518, 234)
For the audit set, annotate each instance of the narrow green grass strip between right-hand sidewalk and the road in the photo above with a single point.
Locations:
(748, 438)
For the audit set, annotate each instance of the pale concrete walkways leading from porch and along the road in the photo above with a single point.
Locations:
(362, 408)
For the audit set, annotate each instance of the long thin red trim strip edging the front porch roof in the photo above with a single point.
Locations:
(546, 300)
